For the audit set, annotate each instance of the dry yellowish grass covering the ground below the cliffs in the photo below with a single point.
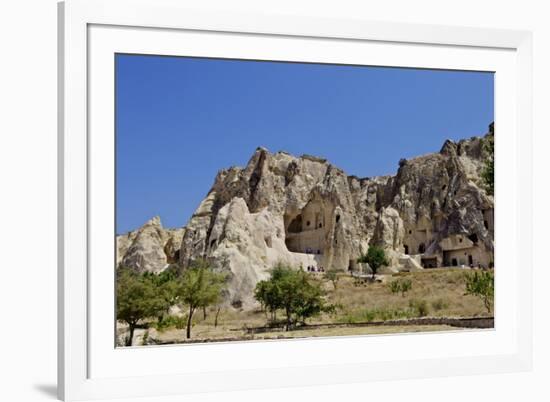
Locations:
(440, 292)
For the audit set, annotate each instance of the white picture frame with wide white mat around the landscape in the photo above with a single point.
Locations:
(90, 31)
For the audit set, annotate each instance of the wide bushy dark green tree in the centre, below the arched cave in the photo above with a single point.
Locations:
(292, 291)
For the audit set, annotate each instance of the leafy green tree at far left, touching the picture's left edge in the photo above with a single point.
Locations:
(136, 299)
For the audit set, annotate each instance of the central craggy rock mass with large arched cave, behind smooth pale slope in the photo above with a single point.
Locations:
(310, 199)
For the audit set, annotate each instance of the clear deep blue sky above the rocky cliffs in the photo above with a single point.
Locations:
(179, 120)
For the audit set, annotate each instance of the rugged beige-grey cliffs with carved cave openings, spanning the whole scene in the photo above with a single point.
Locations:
(305, 211)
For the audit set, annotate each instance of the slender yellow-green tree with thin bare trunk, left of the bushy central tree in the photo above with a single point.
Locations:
(199, 286)
